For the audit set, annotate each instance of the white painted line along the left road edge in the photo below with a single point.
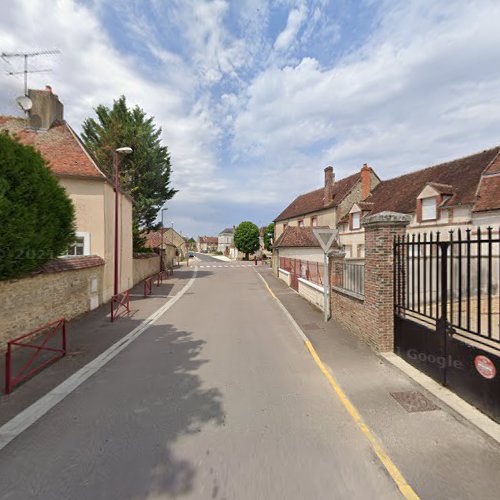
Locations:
(38, 409)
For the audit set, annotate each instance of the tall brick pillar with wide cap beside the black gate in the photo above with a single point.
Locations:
(380, 231)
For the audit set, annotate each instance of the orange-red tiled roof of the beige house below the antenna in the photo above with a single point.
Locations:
(60, 147)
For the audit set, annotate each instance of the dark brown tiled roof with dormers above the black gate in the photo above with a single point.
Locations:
(462, 175)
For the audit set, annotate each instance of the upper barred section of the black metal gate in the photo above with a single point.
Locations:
(459, 275)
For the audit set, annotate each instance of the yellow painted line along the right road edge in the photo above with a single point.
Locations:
(406, 490)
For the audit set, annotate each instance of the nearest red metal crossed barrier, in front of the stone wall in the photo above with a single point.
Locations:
(25, 372)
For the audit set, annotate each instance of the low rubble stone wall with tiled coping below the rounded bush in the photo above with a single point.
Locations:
(65, 288)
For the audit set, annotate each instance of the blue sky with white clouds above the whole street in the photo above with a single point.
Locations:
(256, 97)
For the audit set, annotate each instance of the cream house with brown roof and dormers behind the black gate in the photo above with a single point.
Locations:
(458, 194)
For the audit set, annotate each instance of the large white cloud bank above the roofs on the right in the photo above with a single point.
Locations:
(425, 87)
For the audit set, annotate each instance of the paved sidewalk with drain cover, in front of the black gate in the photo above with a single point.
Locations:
(439, 453)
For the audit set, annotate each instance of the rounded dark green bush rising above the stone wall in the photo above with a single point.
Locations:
(36, 214)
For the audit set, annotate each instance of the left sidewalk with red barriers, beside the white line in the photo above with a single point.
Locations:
(87, 337)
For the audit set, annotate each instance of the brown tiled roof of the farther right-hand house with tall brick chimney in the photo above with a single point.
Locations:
(313, 201)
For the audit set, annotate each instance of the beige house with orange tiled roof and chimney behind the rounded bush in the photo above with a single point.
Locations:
(91, 191)
